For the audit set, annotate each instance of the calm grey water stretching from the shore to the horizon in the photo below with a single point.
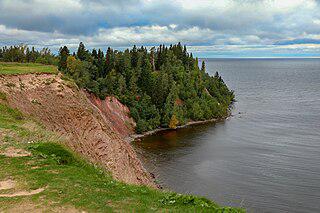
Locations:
(266, 157)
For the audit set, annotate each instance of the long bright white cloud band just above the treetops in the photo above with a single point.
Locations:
(114, 37)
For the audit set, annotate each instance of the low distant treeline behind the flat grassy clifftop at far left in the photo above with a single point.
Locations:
(24, 54)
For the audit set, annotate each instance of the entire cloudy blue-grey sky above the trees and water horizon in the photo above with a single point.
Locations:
(210, 28)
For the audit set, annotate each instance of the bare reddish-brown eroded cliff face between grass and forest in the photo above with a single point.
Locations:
(94, 128)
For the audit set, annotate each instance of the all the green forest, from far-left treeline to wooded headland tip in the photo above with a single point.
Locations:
(163, 86)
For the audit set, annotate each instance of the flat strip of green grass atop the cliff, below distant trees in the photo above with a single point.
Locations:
(25, 68)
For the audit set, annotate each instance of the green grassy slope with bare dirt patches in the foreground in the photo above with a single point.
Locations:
(70, 181)
